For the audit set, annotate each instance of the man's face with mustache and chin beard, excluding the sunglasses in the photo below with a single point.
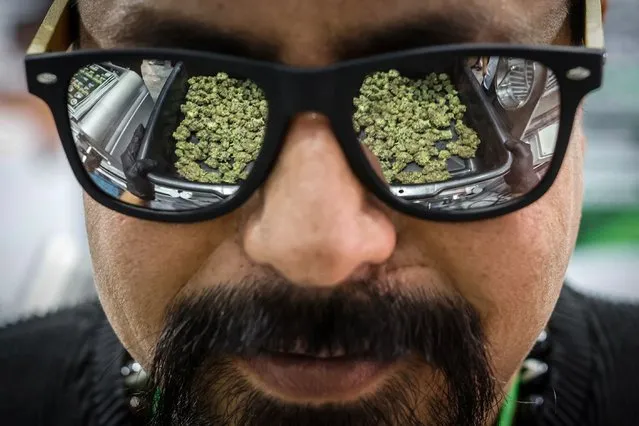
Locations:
(315, 230)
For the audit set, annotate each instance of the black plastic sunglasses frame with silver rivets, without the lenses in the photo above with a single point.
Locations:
(328, 91)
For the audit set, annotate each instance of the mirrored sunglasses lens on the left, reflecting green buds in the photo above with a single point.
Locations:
(153, 134)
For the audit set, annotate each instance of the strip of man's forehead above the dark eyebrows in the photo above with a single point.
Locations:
(316, 25)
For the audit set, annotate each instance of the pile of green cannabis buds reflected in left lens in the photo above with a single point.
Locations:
(222, 130)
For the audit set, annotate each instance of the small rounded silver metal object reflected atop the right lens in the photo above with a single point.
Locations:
(515, 79)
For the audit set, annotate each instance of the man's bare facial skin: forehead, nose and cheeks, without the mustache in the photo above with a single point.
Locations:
(511, 269)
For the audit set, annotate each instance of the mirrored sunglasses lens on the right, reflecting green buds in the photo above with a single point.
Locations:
(460, 133)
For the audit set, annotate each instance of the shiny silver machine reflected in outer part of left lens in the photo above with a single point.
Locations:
(110, 112)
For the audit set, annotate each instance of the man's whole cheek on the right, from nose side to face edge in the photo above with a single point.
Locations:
(512, 268)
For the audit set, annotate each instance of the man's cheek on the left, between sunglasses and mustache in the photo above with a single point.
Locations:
(140, 266)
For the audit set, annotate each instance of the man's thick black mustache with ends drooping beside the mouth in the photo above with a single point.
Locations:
(357, 319)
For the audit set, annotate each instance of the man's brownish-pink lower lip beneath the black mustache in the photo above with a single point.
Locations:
(305, 379)
